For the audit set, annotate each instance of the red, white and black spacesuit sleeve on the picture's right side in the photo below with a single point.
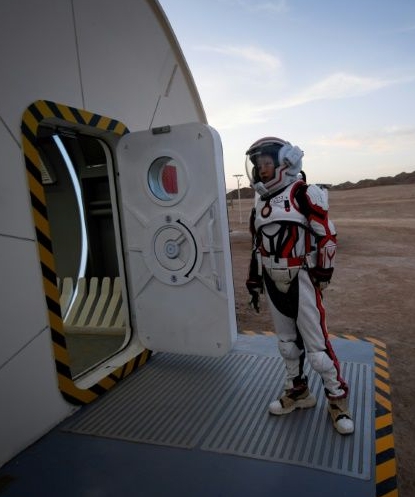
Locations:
(324, 231)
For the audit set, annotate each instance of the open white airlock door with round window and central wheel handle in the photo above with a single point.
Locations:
(176, 239)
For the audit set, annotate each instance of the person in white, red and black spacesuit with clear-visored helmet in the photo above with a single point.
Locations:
(294, 252)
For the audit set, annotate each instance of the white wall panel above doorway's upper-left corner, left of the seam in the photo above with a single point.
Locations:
(38, 57)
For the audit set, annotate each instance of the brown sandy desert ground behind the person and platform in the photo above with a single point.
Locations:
(372, 294)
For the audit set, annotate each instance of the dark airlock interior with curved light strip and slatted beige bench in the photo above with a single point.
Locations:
(85, 239)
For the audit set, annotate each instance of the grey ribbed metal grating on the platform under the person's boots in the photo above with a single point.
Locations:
(221, 405)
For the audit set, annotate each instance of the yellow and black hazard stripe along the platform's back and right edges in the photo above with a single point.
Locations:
(386, 469)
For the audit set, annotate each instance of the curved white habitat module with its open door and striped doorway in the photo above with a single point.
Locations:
(113, 215)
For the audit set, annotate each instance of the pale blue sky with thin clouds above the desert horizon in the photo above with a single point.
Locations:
(336, 78)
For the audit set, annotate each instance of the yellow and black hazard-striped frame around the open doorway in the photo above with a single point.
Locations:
(33, 116)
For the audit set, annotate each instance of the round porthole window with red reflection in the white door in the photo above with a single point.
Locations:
(166, 179)
